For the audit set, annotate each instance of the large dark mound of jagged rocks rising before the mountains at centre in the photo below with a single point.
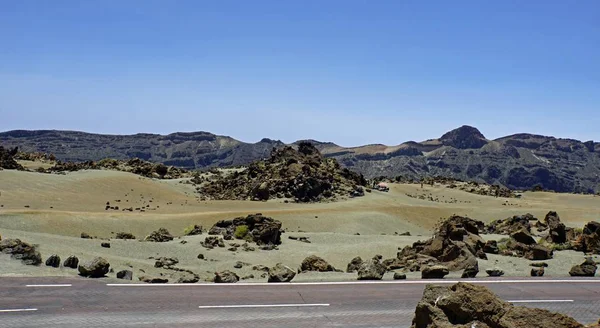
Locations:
(303, 175)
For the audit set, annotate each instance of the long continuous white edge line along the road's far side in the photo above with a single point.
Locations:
(405, 282)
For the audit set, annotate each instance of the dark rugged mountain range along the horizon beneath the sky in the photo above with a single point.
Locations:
(519, 161)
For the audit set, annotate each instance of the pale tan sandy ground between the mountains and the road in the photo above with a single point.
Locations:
(53, 210)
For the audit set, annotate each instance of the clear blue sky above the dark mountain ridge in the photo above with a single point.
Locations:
(351, 72)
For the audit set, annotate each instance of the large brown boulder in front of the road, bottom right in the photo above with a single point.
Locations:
(467, 305)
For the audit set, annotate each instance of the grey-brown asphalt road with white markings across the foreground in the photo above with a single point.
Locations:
(53, 302)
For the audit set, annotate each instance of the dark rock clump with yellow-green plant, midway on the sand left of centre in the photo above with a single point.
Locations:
(256, 227)
